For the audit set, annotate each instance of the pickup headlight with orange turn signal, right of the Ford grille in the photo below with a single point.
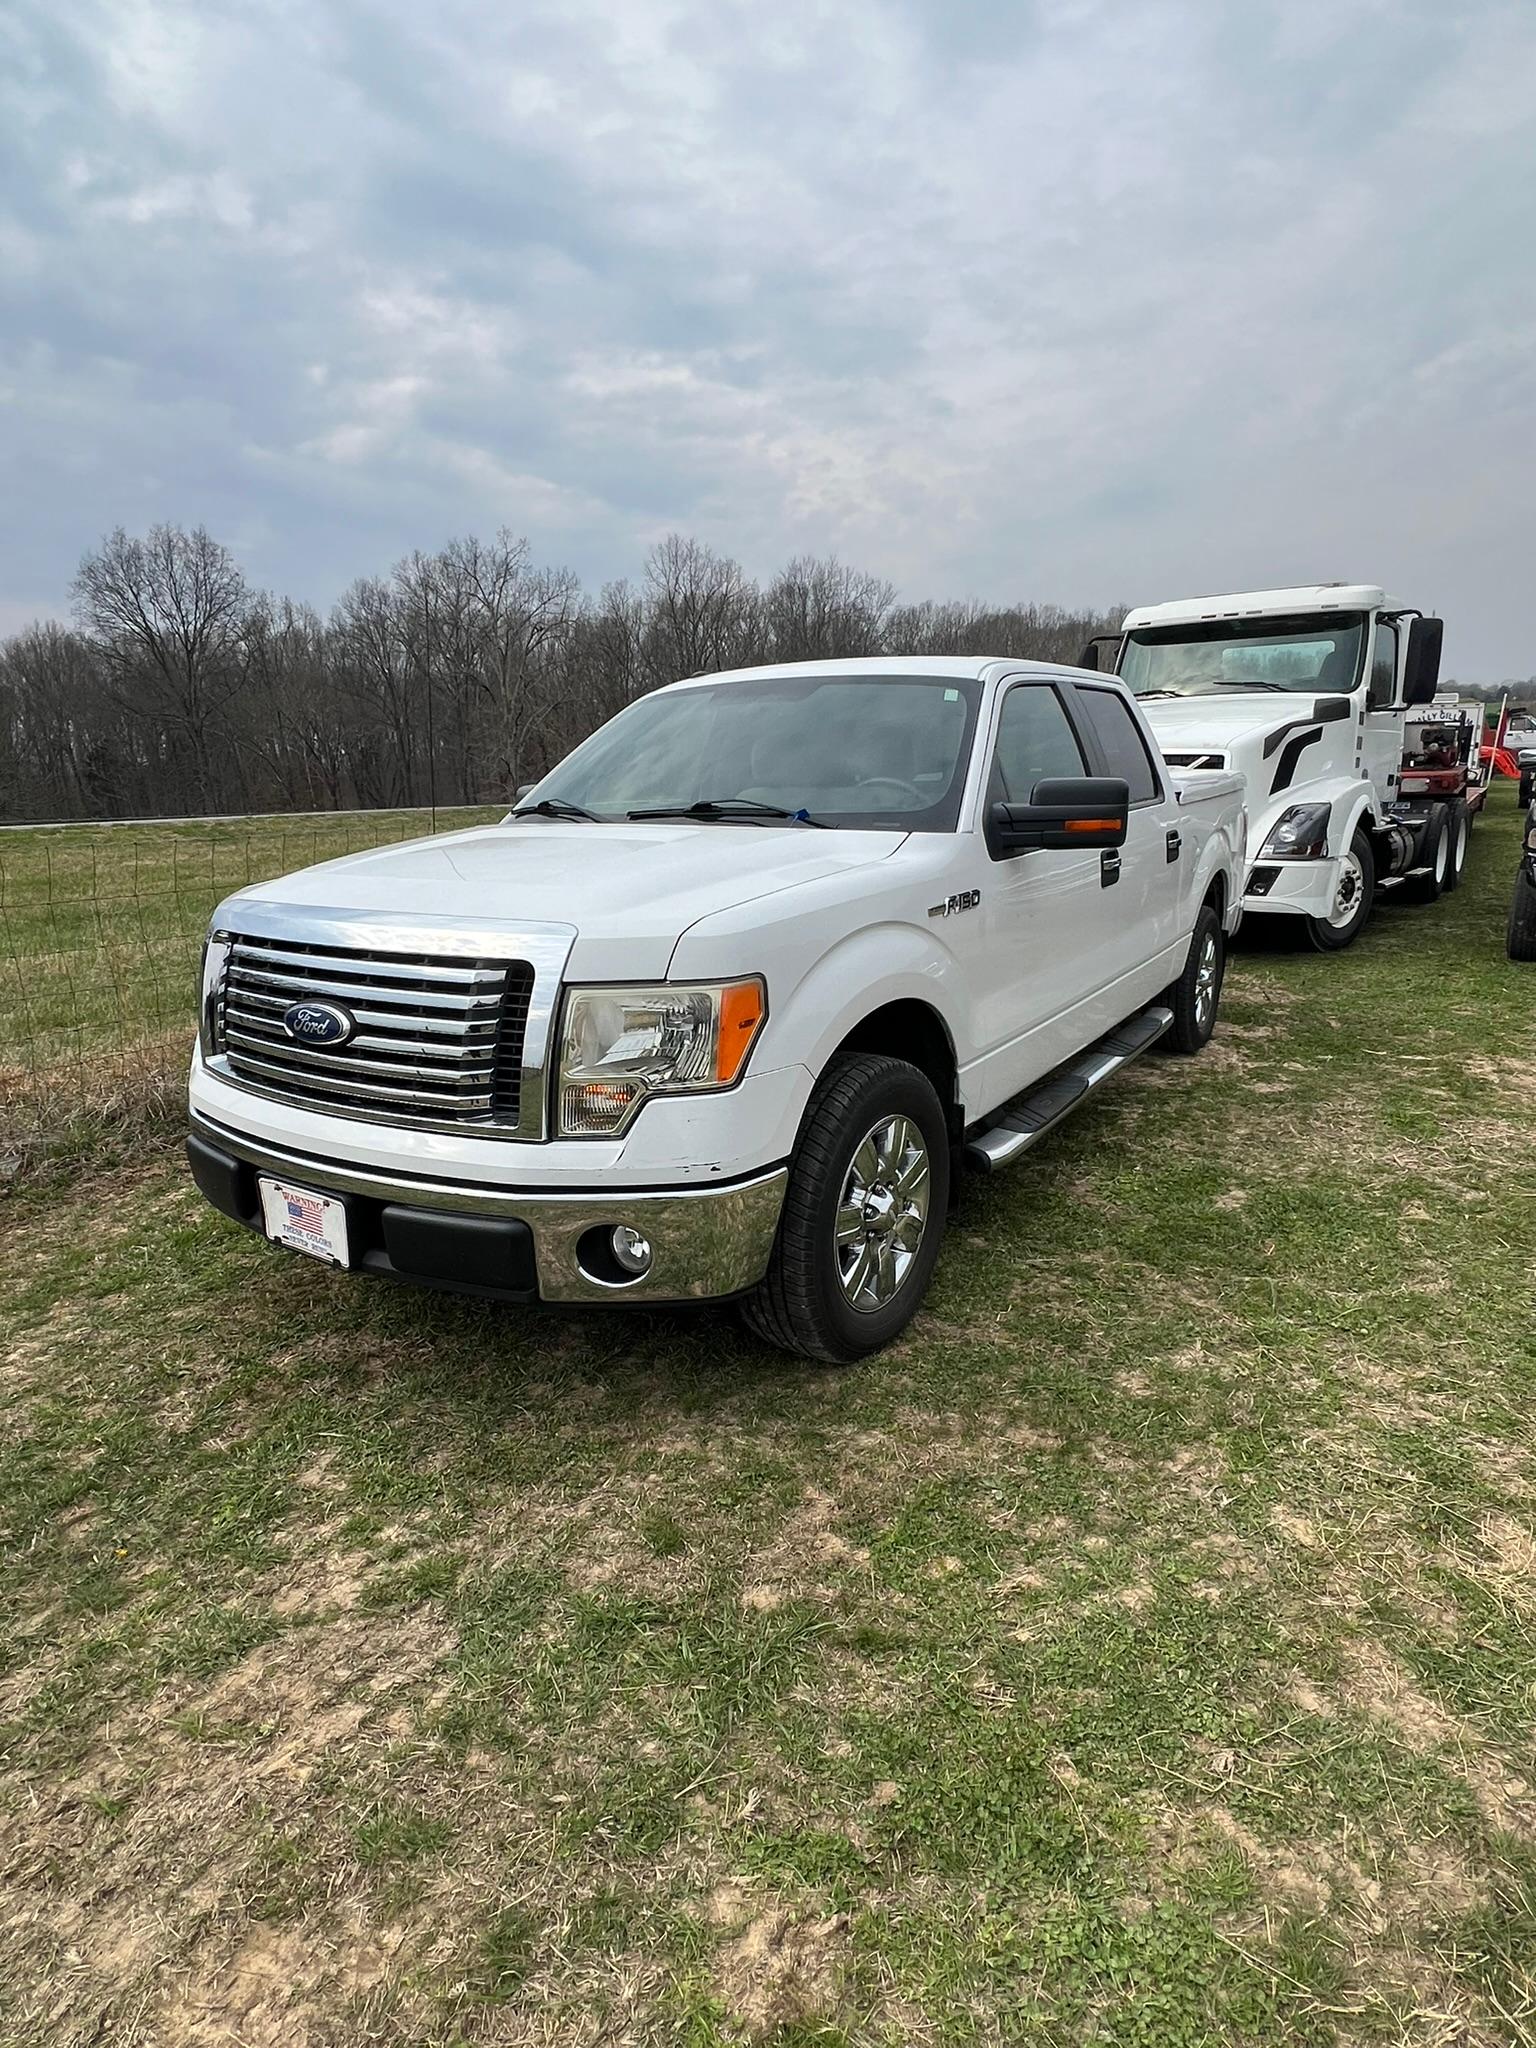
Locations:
(622, 1046)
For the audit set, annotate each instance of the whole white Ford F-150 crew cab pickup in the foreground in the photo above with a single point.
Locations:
(726, 1002)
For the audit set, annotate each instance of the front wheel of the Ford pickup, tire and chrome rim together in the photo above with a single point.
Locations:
(863, 1213)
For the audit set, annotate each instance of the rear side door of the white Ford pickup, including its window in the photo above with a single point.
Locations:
(1150, 876)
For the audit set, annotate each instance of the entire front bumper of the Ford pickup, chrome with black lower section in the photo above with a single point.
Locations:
(513, 1244)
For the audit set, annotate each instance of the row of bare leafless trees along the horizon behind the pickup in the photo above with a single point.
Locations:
(185, 691)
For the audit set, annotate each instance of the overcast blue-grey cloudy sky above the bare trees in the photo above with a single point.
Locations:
(998, 298)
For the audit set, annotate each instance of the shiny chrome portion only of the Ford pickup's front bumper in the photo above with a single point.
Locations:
(708, 1242)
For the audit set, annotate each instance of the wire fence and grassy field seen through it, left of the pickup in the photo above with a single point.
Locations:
(101, 929)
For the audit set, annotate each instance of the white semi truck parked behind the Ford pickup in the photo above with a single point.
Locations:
(1322, 699)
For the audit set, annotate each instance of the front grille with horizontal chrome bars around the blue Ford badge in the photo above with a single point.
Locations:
(433, 1041)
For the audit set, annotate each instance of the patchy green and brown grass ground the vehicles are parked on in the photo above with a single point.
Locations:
(1144, 1652)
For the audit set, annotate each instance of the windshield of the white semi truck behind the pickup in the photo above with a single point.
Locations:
(1246, 654)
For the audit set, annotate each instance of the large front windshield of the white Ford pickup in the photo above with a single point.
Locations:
(873, 751)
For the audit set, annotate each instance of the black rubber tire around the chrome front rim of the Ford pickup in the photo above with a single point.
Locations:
(804, 1304)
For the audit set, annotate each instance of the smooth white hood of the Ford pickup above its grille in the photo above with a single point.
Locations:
(630, 892)
